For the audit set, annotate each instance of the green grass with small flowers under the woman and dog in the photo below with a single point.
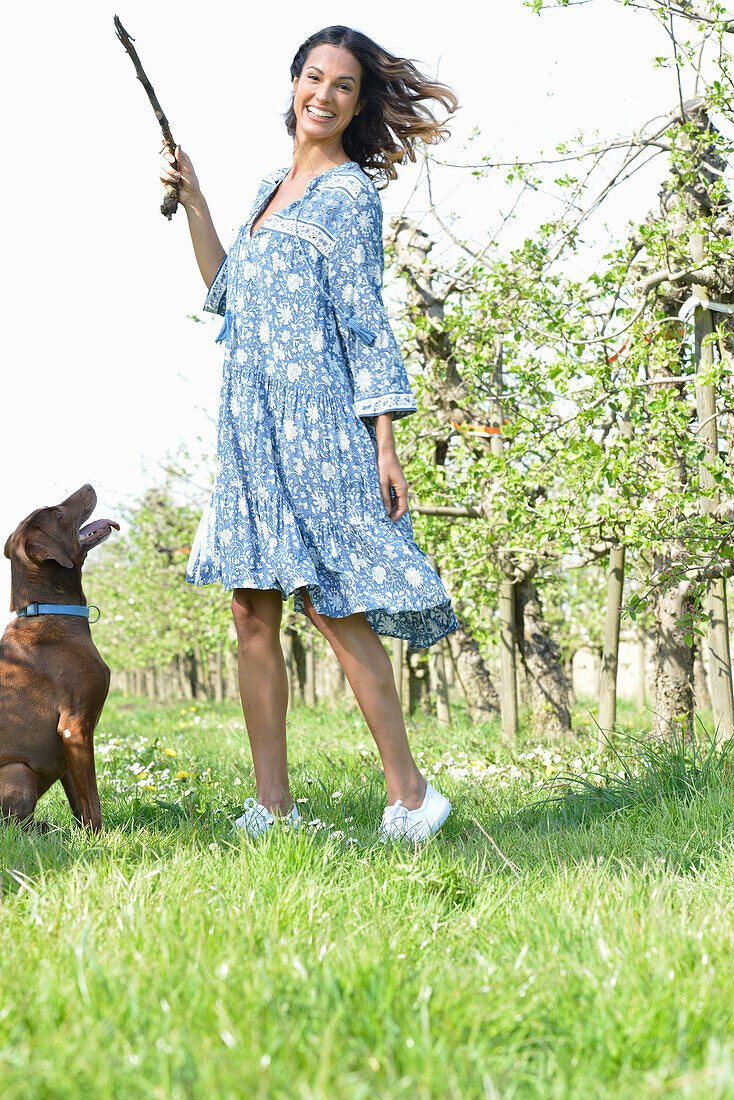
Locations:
(563, 937)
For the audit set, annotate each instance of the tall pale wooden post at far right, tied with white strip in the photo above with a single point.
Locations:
(720, 663)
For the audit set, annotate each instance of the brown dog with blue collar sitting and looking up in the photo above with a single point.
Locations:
(53, 683)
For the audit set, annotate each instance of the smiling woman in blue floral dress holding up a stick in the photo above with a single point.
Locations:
(310, 497)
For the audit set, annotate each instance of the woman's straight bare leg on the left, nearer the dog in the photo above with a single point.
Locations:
(264, 691)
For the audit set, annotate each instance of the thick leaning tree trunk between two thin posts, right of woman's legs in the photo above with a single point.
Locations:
(541, 656)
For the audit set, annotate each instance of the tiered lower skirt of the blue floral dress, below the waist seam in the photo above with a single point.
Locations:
(313, 515)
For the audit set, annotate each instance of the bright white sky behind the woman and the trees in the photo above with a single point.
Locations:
(104, 372)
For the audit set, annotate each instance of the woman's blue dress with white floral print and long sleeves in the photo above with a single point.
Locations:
(311, 359)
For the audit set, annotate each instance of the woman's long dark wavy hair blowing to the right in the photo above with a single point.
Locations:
(393, 117)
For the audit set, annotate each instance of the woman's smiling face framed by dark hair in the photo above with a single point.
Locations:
(325, 96)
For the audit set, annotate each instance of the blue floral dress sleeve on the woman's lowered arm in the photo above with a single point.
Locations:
(355, 276)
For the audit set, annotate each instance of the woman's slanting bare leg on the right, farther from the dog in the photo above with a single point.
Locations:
(367, 666)
